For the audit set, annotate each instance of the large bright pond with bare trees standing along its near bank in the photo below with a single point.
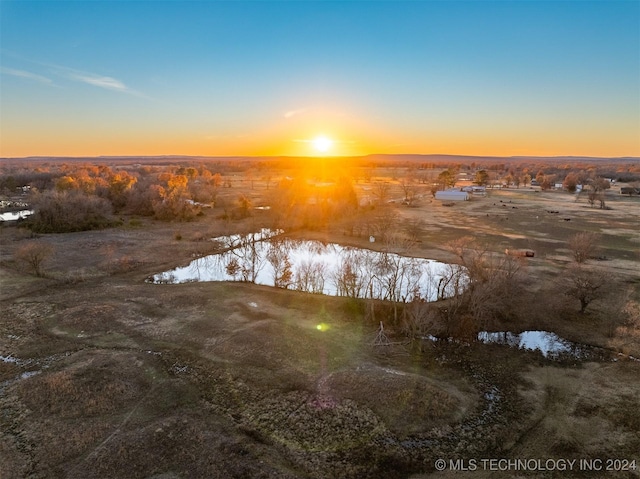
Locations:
(267, 258)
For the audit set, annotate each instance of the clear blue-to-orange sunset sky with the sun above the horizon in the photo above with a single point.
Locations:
(310, 78)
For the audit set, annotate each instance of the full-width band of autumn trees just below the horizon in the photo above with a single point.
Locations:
(169, 192)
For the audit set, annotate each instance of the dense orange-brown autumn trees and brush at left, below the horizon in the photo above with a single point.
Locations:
(81, 197)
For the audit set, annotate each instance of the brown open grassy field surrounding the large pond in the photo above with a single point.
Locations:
(105, 375)
